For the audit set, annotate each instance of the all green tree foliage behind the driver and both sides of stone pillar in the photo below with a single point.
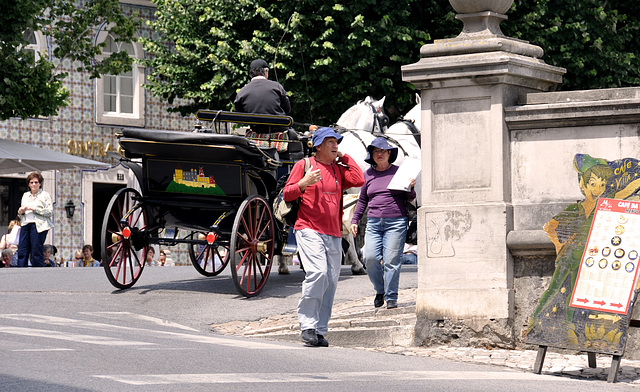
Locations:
(328, 55)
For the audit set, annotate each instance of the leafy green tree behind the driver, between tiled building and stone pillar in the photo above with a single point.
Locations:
(327, 55)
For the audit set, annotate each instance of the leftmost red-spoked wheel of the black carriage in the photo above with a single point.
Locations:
(124, 247)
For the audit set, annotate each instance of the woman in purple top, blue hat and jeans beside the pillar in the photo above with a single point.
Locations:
(386, 222)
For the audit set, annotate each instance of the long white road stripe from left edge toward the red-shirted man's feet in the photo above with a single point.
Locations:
(93, 326)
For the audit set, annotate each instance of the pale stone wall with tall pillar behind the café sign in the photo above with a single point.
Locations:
(497, 163)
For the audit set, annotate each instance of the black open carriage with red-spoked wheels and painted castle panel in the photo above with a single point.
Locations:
(209, 189)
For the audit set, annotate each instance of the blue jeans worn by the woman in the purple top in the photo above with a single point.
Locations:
(383, 244)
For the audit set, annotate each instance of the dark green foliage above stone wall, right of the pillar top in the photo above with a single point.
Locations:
(597, 41)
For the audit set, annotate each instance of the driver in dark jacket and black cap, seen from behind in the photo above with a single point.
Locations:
(262, 96)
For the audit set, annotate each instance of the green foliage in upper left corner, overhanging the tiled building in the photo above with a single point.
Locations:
(30, 87)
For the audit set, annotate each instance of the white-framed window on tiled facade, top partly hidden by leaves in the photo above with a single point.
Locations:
(120, 98)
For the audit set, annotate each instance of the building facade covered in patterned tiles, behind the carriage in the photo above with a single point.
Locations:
(87, 128)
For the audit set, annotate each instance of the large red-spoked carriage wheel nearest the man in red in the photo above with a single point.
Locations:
(252, 245)
